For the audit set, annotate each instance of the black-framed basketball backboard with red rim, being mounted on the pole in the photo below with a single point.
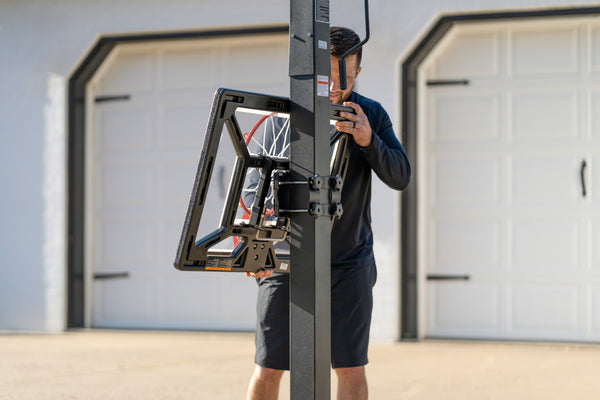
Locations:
(255, 215)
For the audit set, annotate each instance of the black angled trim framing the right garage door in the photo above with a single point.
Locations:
(409, 106)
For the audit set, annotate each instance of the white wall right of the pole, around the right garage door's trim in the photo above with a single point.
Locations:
(397, 26)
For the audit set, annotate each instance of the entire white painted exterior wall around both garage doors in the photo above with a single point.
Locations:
(42, 43)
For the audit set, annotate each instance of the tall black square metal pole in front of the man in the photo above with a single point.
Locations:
(310, 280)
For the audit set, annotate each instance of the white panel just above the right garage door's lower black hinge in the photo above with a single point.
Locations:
(468, 245)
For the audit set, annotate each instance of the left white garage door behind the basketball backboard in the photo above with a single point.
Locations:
(149, 105)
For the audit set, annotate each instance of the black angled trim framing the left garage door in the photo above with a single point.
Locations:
(76, 147)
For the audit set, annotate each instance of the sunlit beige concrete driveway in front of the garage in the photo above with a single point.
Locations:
(197, 365)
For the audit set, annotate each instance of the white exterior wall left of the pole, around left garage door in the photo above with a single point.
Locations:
(41, 44)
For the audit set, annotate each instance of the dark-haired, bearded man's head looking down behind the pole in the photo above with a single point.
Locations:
(341, 40)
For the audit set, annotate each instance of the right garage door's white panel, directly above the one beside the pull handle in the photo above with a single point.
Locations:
(542, 115)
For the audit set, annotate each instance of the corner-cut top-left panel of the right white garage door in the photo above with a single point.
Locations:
(469, 55)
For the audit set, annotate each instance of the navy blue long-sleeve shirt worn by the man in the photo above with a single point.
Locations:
(351, 235)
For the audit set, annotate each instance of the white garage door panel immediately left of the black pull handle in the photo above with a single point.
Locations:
(551, 179)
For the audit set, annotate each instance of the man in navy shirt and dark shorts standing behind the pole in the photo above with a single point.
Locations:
(353, 272)
